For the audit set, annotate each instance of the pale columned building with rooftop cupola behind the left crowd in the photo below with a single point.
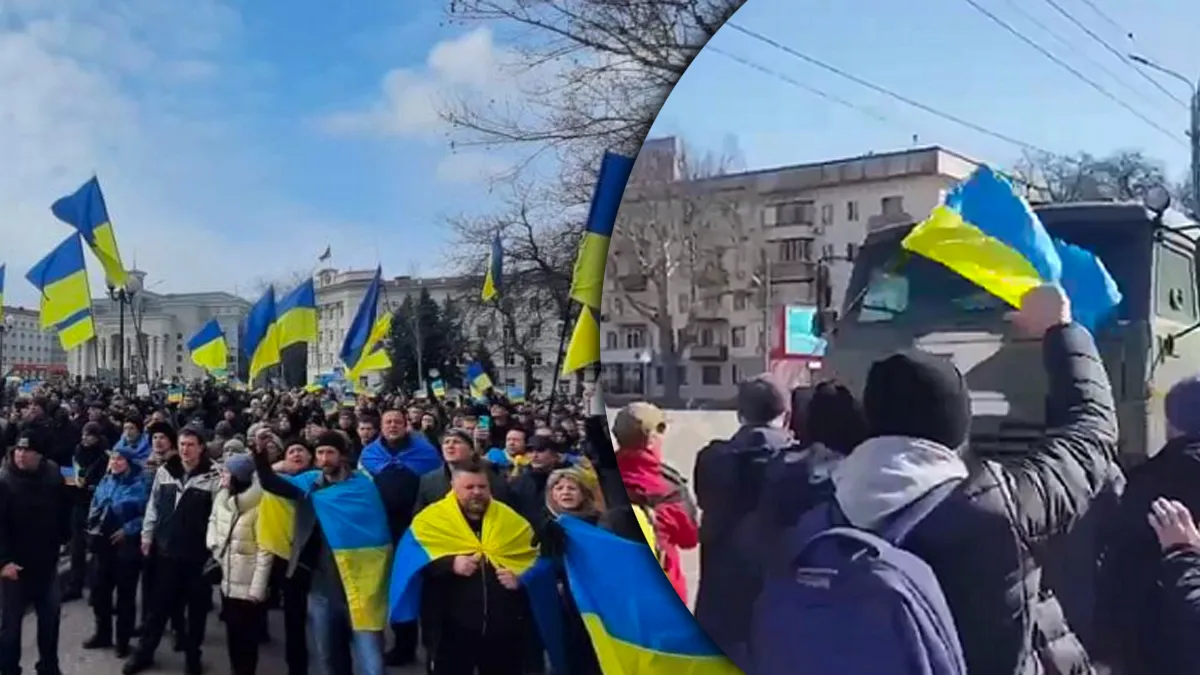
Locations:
(157, 331)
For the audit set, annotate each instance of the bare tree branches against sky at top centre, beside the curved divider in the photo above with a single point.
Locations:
(613, 64)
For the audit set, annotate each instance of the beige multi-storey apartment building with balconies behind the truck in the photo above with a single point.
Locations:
(743, 246)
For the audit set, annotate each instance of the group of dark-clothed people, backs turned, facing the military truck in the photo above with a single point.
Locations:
(832, 523)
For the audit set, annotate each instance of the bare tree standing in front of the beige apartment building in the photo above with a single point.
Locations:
(683, 226)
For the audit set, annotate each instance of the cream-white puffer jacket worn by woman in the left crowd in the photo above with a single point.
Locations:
(233, 541)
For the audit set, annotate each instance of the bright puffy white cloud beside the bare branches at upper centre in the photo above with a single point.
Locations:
(411, 101)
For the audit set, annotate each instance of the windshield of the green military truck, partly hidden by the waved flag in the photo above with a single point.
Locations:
(908, 289)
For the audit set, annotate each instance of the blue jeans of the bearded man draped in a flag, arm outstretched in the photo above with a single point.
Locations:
(334, 641)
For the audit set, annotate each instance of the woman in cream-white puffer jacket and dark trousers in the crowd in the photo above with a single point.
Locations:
(245, 566)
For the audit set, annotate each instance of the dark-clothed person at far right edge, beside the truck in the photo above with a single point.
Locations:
(1135, 629)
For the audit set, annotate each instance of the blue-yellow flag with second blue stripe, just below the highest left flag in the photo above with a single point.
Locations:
(62, 278)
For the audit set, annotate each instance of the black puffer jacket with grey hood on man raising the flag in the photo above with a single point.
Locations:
(986, 541)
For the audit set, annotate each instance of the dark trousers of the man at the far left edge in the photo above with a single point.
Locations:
(45, 599)
